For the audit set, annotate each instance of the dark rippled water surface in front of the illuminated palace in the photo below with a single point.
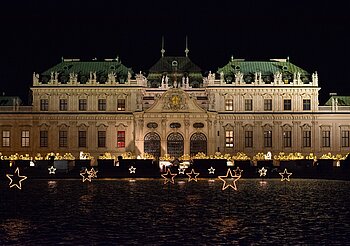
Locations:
(146, 212)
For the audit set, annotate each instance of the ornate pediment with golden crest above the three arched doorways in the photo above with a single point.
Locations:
(175, 101)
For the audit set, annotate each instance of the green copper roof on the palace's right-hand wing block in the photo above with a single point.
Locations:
(265, 67)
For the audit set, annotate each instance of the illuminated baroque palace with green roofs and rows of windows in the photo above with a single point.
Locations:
(245, 106)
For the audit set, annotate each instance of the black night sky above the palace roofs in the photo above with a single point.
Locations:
(36, 34)
